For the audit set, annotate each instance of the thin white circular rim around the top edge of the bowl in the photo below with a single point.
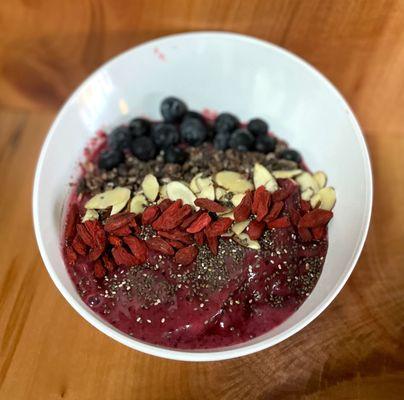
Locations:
(209, 354)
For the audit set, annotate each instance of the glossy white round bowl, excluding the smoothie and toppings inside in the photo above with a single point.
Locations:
(225, 72)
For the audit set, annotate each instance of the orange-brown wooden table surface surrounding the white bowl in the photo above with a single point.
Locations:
(354, 350)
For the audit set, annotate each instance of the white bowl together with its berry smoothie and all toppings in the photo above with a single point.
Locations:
(202, 196)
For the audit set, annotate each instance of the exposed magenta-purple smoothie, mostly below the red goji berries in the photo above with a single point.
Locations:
(260, 293)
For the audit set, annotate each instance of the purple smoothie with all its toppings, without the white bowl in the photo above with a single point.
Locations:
(196, 233)
